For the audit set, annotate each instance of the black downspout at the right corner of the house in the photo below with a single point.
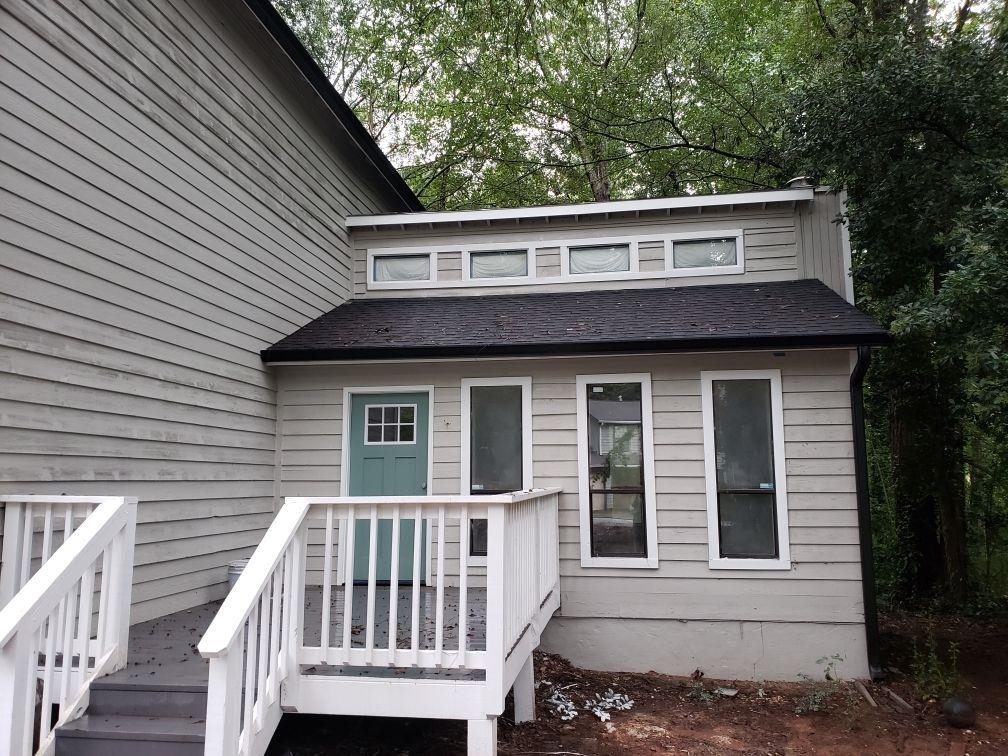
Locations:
(865, 514)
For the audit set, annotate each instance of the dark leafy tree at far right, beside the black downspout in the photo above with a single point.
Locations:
(915, 127)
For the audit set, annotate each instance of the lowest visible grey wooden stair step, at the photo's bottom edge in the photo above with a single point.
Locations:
(118, 735)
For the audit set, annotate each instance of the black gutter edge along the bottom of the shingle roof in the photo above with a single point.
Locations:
(276, 356)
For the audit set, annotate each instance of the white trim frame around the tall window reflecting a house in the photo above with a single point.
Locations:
(584, 484)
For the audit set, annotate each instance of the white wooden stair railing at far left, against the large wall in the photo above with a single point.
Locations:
(68, 622)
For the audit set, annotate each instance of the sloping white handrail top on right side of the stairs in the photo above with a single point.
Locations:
(231, 617)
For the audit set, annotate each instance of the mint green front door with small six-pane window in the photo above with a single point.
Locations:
(389, 457)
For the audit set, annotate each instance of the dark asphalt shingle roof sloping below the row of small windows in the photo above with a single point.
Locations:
(736, 316)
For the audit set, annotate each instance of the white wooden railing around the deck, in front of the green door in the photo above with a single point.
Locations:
(265, 629)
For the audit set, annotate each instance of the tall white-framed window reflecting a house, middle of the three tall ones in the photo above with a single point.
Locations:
(616, 471)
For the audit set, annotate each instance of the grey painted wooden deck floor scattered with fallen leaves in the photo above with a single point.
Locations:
(164, 651)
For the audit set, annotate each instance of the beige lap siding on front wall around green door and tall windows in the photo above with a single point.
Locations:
(824, 585)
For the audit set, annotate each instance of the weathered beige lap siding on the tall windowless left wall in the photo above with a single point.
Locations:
(172, 203)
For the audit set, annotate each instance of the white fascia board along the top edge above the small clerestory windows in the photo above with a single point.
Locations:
(584, 209)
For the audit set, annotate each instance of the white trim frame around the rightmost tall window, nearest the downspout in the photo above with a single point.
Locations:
(716, 561)
